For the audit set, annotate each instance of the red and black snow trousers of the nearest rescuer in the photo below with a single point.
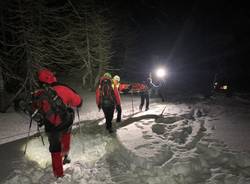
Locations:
(59, 147)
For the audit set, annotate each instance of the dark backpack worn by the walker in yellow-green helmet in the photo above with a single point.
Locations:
(107, 93)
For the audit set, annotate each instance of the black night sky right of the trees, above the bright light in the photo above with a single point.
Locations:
(191, 37)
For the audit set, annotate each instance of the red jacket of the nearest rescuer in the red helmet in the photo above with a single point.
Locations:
(68, 96)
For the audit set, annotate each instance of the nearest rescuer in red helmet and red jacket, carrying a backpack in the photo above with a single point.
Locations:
(58, 116)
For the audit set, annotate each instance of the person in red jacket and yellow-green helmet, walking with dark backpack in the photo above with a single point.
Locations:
(107, 98)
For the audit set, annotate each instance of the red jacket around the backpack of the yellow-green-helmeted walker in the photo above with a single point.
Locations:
(99, 97)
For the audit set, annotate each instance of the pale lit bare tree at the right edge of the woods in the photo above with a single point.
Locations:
(92, 42)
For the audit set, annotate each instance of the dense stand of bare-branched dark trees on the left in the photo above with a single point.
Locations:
(35, 35)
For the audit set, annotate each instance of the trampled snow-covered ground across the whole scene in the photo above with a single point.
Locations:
(199, 141)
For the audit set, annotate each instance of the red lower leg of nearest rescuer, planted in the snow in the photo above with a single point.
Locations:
(57, 164)
